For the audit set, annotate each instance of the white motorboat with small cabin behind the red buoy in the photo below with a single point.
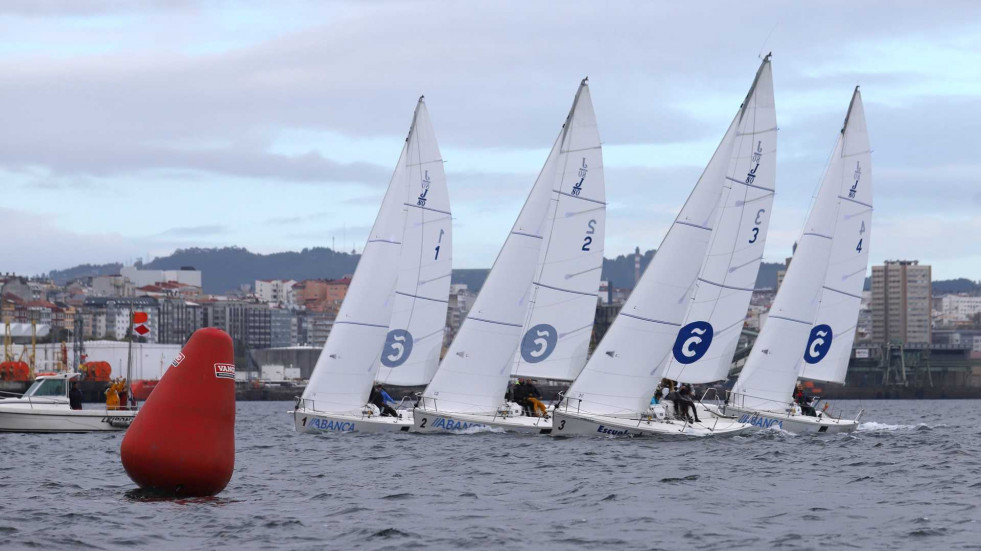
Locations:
(45, 408)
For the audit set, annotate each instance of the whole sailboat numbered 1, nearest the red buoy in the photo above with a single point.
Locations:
(400, 285)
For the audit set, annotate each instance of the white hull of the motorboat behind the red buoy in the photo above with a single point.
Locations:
(54, 419)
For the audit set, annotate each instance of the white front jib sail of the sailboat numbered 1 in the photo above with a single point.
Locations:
(342, 377)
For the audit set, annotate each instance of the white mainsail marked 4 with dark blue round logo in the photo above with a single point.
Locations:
(826, 358)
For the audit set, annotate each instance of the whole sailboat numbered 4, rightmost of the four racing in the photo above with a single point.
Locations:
(811, 325)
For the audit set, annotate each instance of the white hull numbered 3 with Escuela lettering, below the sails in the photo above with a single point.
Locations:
(571, 423)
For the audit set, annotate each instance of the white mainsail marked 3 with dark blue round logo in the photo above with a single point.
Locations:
(707, 340)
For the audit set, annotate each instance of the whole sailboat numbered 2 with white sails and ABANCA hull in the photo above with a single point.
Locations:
(534, 315)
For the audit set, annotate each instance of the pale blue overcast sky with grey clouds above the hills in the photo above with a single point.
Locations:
(130, 131)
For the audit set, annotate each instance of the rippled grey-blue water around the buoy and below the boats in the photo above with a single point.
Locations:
(909, 478)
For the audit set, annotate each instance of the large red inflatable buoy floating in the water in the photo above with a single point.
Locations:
(182, 441)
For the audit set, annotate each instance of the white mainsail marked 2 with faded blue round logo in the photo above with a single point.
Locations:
(559, 323)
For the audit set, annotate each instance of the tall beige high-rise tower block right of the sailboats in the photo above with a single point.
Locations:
(901, 300)
